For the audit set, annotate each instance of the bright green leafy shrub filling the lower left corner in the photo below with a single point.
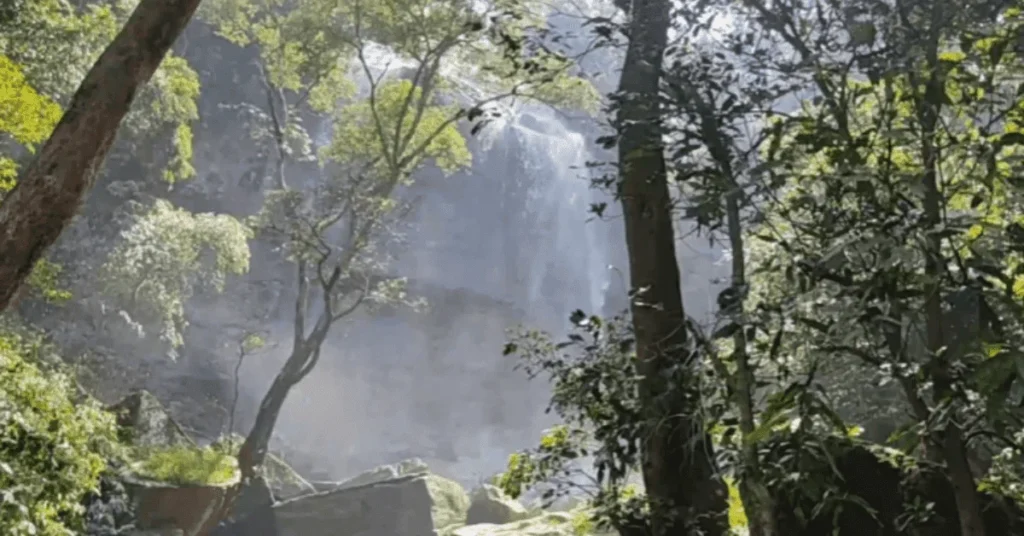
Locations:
(54, 447)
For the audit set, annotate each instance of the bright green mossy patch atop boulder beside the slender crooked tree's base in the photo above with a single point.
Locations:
(185, 466)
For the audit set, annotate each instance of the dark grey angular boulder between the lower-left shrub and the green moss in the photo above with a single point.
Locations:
(145, 423)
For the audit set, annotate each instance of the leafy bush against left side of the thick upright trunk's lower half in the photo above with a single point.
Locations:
(595, 392)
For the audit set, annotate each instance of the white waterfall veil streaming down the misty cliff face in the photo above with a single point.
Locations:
(521, 221)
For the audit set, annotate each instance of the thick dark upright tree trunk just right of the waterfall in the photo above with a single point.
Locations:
(687, 496)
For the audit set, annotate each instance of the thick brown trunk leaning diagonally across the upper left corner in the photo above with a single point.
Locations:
(53, 187)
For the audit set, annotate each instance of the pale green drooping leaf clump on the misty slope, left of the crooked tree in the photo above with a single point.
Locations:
(165, 255)
